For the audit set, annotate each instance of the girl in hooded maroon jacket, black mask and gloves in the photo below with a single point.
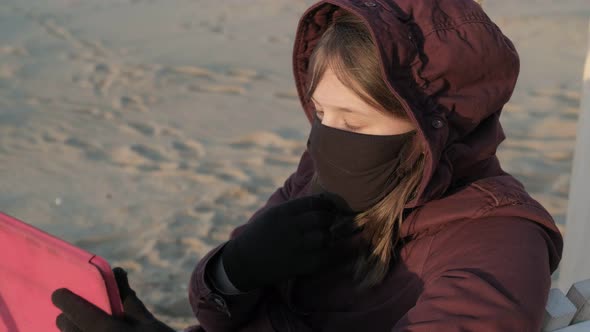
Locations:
(399, 216)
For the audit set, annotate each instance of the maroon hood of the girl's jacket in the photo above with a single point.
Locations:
(453, 70)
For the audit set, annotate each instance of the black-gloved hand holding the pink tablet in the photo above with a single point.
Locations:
(80, 315)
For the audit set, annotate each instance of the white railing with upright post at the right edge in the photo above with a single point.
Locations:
(571, 312)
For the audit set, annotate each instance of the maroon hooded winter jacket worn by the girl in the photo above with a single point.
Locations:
(480, 250)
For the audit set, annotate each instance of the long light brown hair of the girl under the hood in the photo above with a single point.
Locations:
(347, 48)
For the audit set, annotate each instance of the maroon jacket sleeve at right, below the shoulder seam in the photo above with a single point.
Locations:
(496, 282)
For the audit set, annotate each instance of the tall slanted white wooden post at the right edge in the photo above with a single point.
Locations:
(575, 264)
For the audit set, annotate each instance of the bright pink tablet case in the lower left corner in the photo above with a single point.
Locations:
(33, 264)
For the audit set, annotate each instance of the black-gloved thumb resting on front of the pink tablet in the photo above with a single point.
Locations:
(80, 312)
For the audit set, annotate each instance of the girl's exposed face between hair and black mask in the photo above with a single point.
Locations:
(339, 107)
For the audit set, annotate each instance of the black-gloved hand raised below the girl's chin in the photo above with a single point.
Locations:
(298, 237)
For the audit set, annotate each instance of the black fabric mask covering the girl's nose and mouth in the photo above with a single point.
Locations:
(357, 170)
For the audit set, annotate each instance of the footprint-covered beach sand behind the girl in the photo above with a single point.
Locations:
(146, 130)
